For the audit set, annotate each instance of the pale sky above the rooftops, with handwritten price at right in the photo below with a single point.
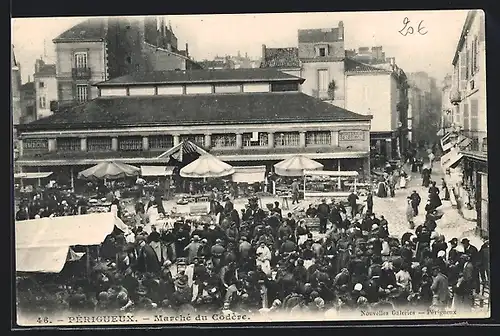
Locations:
(211, 35)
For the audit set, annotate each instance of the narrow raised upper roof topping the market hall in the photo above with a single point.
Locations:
(201, 76)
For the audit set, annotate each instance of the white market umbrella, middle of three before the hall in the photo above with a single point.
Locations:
(207, 166)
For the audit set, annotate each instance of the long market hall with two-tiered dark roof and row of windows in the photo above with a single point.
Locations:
(243, 116)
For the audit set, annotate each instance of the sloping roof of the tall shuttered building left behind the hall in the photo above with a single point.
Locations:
(93, 29)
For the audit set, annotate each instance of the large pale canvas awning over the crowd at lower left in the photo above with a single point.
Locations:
(42, 245)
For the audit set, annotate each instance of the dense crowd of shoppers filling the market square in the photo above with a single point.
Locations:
(263, 260)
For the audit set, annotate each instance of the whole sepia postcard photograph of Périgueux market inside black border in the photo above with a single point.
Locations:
(197, 169)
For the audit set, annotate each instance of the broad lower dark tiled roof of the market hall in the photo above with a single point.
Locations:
(211, 109)
